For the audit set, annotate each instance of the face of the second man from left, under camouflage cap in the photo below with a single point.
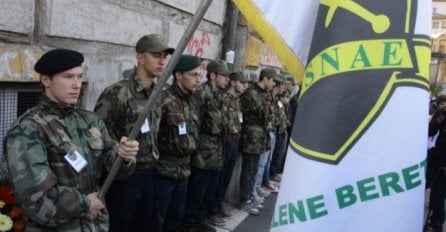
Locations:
(153, 63)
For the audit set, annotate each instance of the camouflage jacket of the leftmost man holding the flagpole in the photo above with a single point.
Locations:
(50, 191)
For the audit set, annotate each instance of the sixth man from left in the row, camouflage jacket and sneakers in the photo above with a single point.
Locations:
(255, 140)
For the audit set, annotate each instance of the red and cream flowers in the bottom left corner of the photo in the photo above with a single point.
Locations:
(12, 218)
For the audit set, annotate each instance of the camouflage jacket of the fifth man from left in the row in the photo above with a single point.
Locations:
(232, 113)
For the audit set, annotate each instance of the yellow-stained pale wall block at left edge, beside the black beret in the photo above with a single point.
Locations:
(17, 64)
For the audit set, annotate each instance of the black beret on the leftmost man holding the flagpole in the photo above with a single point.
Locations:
(58, 60)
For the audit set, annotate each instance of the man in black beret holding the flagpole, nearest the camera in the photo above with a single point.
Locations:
(57, 153)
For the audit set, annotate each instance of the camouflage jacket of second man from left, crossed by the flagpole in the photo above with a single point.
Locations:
(119, 106)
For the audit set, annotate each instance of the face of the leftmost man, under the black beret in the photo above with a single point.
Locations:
(64, 87)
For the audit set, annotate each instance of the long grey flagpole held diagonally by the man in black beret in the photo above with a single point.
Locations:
(197, 17)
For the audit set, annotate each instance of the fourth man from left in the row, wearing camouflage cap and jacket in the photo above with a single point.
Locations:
(208, 162)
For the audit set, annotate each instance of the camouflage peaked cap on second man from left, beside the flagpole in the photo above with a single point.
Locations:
(153, 43)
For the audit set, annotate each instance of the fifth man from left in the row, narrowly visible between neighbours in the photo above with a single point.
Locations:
(233, 125)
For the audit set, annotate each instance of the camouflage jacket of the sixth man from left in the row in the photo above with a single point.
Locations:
(256, 105)
